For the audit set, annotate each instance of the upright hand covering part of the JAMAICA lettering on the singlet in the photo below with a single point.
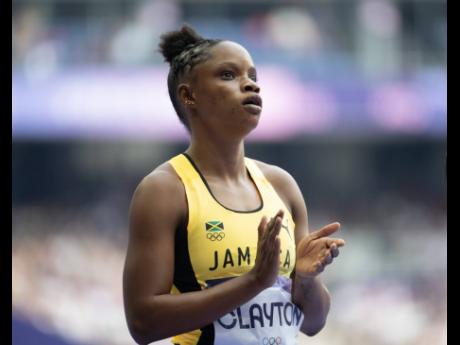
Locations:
(266, 267)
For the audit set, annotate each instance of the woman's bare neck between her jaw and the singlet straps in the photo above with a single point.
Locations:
(217, 158)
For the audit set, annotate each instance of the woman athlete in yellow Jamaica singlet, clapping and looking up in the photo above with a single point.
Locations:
(219, 248)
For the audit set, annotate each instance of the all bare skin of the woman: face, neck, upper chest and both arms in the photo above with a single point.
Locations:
(212, 95)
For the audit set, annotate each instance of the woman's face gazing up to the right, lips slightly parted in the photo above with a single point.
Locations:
(225, 90)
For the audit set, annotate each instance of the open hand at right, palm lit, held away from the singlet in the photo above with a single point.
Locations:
(316, 250)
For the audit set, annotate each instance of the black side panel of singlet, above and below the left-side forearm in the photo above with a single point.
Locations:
(184, 276)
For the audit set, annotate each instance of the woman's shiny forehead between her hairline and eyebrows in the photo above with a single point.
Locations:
(228, 51)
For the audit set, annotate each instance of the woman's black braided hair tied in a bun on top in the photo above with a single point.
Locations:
(183, 50)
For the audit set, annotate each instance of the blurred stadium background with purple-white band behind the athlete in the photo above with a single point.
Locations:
(354, 108)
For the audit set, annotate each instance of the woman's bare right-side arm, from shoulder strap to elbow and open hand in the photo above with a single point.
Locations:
(314, 252)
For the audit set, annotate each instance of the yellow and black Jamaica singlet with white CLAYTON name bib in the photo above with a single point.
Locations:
(219, 244)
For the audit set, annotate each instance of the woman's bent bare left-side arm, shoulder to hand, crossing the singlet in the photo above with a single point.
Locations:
(158, 208)
